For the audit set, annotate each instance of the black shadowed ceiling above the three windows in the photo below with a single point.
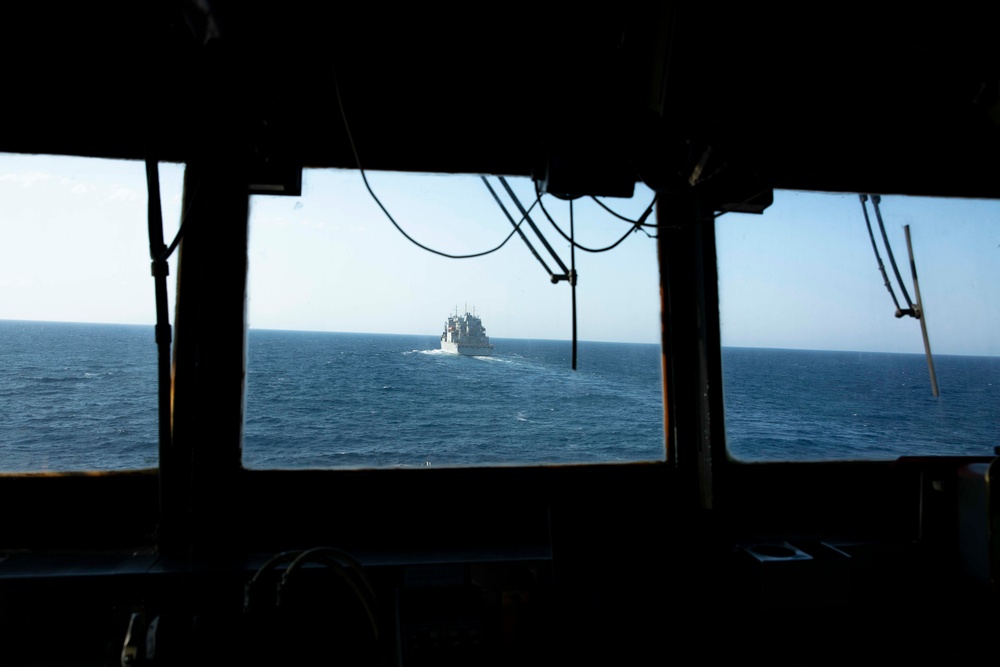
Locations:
(808, 99)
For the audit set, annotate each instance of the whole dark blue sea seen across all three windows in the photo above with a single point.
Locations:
(82, 397)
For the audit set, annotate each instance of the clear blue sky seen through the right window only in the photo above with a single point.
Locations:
(804, 275)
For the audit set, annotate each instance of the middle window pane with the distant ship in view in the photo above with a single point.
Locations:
(345, 362)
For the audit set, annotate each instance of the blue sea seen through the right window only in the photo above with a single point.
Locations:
(820, 405)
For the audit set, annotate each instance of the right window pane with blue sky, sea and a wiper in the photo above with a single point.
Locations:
(817, 366)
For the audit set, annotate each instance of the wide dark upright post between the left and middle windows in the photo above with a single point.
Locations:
(209, 357)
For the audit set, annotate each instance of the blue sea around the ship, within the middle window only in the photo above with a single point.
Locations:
(375, 400)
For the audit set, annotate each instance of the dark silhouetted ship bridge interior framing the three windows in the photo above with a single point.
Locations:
(636, 563)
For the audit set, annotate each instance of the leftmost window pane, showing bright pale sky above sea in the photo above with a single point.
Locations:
(78, 359)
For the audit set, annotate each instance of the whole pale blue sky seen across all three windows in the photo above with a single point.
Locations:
(802, 275)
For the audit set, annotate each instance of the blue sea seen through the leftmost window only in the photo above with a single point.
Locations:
(77, 397)
